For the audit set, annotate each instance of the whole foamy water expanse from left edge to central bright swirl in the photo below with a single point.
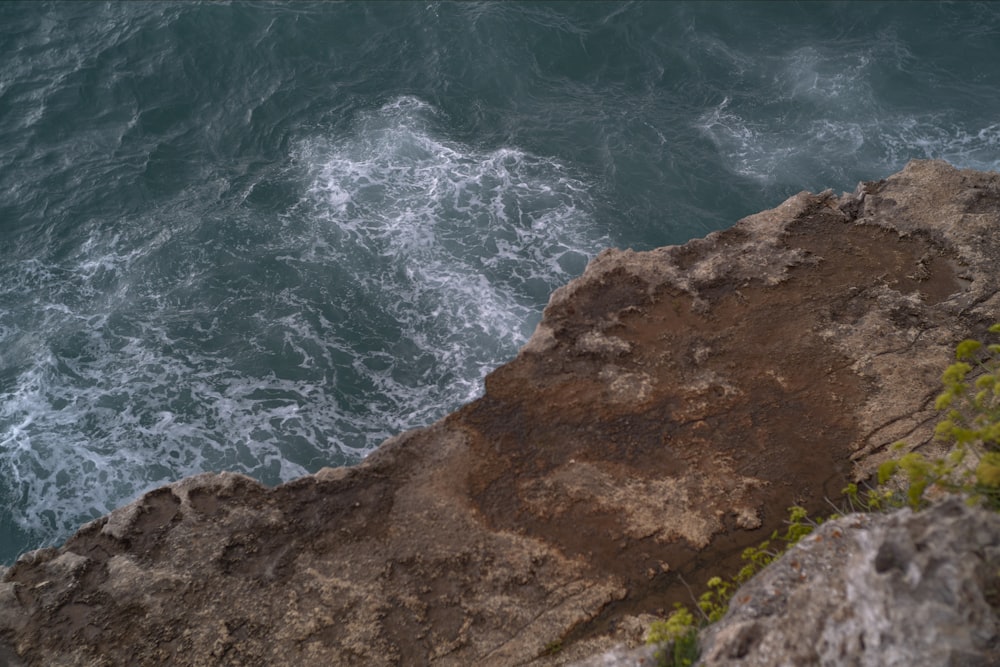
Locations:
(188, 341)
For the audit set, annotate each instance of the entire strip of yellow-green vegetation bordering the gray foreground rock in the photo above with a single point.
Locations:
(971, 424)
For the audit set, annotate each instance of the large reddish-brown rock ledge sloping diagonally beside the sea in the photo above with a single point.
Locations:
(669, 407)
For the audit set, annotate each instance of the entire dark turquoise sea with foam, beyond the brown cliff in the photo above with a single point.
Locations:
(264, 237)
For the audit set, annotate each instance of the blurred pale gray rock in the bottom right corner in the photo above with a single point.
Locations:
(873, 590)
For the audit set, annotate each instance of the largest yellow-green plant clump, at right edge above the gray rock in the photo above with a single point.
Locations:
(971, 424)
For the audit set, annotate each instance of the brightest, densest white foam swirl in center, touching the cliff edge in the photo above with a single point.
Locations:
(450, 242)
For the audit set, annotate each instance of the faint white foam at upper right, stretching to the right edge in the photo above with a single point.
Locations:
(814, 110)
